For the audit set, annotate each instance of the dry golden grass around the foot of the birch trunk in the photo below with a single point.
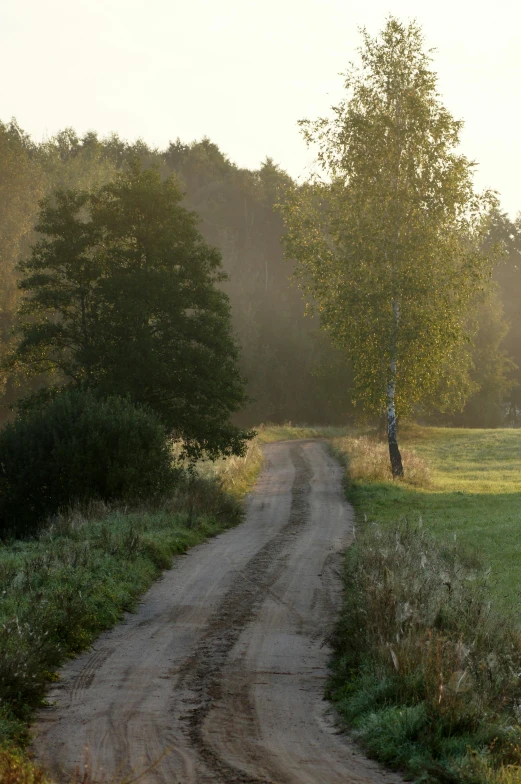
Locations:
(367, 460)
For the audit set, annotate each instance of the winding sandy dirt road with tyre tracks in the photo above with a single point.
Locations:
(219, 676)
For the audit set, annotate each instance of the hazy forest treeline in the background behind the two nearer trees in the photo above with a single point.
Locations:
(292, 370)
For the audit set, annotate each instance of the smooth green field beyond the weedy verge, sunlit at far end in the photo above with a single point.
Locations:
(474, 496)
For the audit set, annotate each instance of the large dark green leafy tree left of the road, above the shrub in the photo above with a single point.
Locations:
(121, 294)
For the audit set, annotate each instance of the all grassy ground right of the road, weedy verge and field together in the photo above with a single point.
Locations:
(427, 664)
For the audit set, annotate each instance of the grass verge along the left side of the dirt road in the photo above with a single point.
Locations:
(60, 590)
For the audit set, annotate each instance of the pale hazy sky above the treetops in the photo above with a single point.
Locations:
(244, 72)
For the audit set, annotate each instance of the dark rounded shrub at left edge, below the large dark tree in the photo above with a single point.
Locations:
(75, 448)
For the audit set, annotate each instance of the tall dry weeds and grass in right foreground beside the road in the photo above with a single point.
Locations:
(426, 673)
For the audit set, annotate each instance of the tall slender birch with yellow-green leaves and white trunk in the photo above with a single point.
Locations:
(386, 234)
